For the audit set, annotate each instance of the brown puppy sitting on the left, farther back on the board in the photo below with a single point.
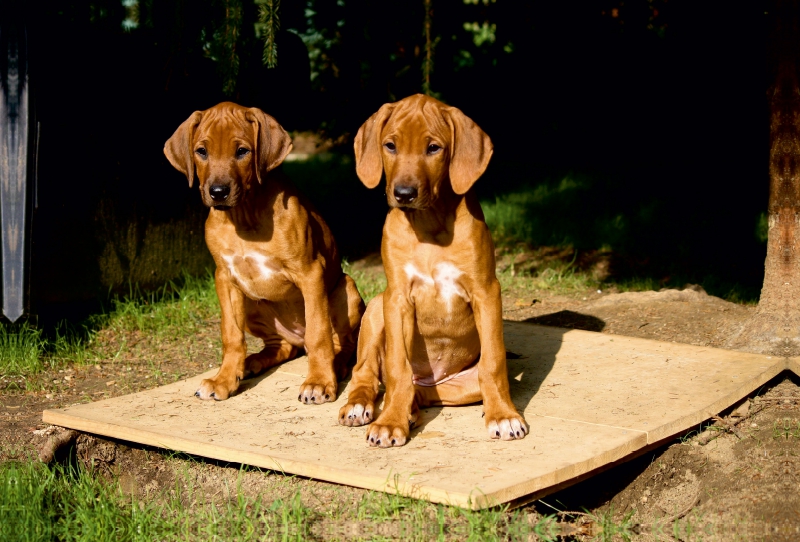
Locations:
(278, 272)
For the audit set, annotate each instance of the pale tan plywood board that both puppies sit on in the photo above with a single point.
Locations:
(590, 399)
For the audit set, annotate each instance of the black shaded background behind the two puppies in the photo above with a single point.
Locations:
(661, 107)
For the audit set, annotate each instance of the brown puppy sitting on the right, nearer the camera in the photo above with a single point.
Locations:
(435, 335)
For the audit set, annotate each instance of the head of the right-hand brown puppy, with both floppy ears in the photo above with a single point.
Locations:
(422, 145)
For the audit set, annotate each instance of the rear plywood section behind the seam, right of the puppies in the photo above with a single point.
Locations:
(656, 387)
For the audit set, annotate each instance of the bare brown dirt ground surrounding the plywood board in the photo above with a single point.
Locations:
(738, 479)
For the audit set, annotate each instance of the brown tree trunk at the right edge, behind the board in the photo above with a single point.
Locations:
(775, 327)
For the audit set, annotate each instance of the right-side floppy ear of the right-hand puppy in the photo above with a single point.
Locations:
(470, 150)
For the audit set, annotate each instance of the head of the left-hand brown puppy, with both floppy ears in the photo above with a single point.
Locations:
(230, 147)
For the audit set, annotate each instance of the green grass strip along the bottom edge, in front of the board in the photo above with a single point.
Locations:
(67, 503)
